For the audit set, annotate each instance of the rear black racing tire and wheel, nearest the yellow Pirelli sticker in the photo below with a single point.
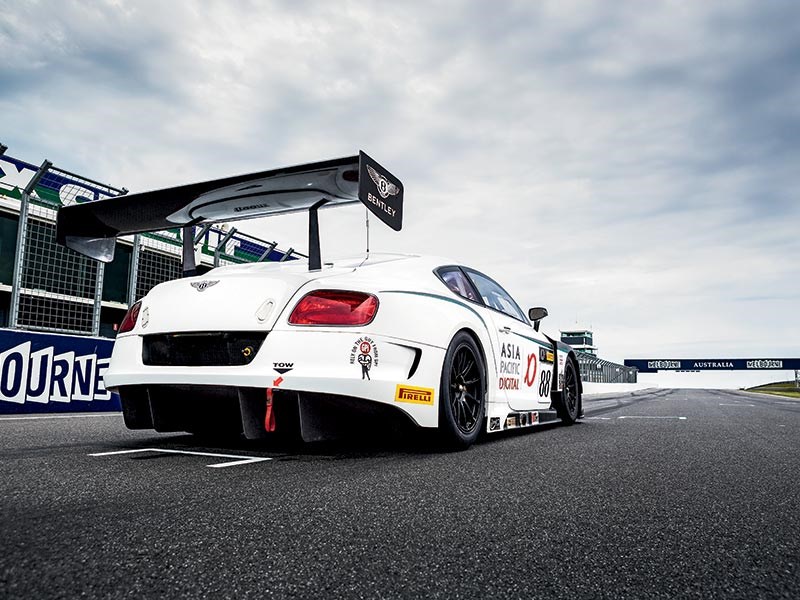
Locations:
(462, 393)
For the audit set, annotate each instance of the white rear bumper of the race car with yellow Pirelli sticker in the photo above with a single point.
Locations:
(306, 360)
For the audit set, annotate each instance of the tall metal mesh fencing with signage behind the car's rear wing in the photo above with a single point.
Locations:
(56, 289)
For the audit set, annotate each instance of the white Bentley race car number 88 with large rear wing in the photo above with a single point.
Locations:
(326, 349)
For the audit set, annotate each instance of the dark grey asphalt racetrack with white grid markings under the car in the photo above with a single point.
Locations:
(665, 494)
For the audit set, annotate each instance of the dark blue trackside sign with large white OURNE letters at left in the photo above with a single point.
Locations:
(54, 373)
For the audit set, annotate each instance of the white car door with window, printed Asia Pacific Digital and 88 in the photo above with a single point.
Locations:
(524, 357)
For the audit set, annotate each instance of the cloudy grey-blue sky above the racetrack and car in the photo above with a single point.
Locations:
(633, 166)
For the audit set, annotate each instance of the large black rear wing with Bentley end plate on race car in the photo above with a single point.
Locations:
(91, 228)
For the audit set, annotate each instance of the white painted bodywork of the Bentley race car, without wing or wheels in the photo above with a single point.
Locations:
(417, 311)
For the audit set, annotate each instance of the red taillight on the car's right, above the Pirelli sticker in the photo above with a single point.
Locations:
(335, 307)
